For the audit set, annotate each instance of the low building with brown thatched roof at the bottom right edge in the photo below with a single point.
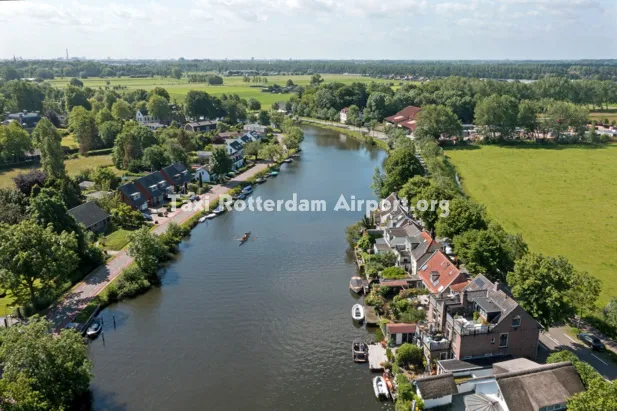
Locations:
(525, 385)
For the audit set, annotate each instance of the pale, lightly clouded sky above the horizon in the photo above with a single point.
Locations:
(310, 29)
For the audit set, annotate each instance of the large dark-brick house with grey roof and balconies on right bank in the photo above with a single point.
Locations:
(479, 318)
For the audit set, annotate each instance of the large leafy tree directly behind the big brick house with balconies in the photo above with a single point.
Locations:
(540, 285)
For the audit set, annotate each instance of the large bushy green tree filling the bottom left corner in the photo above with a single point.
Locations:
(42, 371)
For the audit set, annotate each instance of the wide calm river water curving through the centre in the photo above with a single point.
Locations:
(265, 326)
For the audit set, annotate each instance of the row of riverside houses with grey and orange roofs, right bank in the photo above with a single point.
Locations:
(467, 317)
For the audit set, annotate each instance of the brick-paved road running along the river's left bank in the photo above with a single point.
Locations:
(82, 293)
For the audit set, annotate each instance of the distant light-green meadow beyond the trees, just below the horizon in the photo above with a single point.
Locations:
(232, 85)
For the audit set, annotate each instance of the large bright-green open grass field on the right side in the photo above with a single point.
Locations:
(563, 200)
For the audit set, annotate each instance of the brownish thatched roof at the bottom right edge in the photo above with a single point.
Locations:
(539, 387)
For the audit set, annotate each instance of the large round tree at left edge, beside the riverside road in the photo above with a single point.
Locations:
(33, 259)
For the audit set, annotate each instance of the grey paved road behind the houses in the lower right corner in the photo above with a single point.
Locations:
(558, 339)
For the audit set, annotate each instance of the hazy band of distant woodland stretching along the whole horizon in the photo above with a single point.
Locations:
(602, 69)
